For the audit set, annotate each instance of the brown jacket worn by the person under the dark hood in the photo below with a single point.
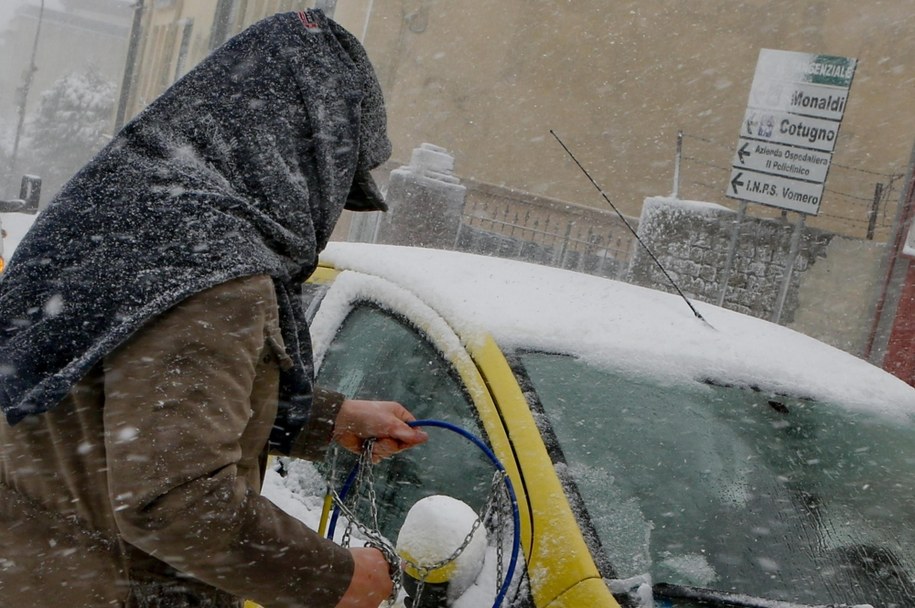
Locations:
(142, 487)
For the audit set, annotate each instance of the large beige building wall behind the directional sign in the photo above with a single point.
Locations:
(617, 81)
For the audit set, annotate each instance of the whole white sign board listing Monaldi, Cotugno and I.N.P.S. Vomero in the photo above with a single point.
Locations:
(790, 129)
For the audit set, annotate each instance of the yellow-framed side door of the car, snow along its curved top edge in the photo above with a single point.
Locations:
(374, 340)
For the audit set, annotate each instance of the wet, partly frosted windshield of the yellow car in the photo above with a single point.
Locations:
(728, 489)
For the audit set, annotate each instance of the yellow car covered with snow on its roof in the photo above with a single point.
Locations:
(659, 459)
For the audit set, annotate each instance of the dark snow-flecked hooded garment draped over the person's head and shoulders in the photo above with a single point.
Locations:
(242, 167)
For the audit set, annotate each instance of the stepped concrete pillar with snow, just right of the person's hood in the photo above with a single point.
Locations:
(425, 202)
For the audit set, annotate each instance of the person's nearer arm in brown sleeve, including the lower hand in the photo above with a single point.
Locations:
(180, 429)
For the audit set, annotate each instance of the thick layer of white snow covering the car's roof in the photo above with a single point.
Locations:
(625, 327)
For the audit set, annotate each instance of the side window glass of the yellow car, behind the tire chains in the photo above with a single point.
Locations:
(376, 355)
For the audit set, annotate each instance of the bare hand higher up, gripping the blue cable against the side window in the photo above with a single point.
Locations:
(385, 421)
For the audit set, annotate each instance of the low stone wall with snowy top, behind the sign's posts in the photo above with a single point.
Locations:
(831, 296)
